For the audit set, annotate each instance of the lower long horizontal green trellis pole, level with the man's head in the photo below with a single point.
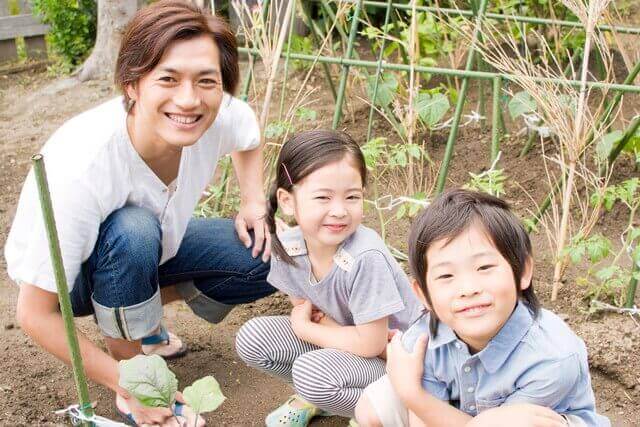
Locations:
(450, 72)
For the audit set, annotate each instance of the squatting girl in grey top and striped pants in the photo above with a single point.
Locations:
(346, 289)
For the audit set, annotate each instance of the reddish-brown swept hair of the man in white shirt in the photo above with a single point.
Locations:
(155, 27)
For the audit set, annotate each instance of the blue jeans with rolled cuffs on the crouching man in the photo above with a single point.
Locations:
(120, 282)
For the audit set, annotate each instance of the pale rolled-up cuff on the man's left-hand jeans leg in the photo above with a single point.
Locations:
(130, 323)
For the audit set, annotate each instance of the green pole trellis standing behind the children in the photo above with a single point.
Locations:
(479, 13)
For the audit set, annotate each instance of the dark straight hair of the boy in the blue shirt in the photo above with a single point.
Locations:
(453, 212)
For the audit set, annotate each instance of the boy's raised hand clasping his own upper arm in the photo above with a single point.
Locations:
(405, 369)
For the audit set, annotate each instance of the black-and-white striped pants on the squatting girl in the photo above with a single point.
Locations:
(332, 380)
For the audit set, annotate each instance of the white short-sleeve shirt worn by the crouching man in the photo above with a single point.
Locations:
(93, 169)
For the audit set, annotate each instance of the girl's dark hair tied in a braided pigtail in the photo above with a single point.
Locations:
(302, 155)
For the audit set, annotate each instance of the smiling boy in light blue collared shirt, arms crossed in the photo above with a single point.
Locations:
(491, 348)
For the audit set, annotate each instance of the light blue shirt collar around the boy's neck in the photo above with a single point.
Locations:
(500, 346)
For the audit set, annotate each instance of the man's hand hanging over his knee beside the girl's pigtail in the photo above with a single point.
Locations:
(251, 217)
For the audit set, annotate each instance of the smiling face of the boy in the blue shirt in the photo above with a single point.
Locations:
(471, 285)
